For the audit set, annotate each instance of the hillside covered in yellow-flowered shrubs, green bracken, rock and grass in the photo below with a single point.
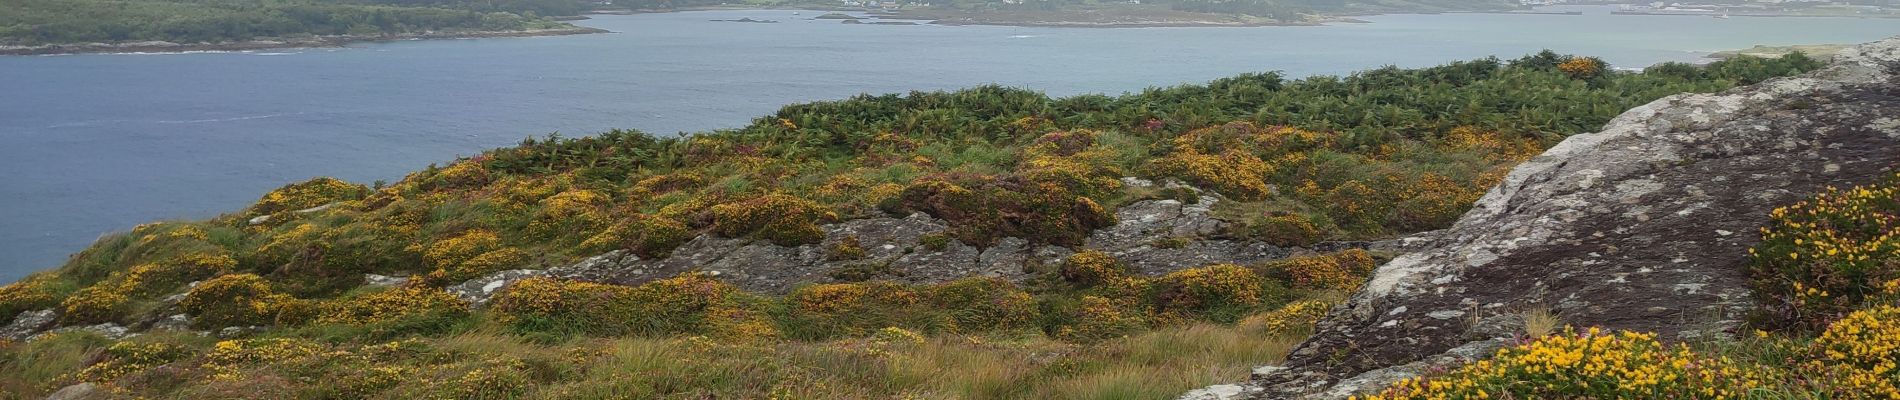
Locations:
(1086, 242)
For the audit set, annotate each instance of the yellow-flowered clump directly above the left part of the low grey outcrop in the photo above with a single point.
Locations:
(782, 219)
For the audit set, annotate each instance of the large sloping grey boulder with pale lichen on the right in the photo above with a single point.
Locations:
(1643, 227)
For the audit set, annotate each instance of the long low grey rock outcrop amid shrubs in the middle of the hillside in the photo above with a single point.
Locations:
(894, 249)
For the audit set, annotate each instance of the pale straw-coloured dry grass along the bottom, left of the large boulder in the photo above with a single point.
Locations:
(1156, 365)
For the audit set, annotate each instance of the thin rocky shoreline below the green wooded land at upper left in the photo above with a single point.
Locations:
(276, 45)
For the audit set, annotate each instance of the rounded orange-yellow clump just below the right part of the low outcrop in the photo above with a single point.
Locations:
(1217, 293)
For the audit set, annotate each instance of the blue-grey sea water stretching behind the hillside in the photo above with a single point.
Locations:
(102, 143)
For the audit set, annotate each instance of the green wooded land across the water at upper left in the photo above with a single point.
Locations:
(52, 27)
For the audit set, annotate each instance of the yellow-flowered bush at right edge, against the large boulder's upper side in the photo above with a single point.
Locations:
(1829, 255)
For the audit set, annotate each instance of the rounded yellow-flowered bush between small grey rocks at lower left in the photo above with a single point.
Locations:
(233, 300)
